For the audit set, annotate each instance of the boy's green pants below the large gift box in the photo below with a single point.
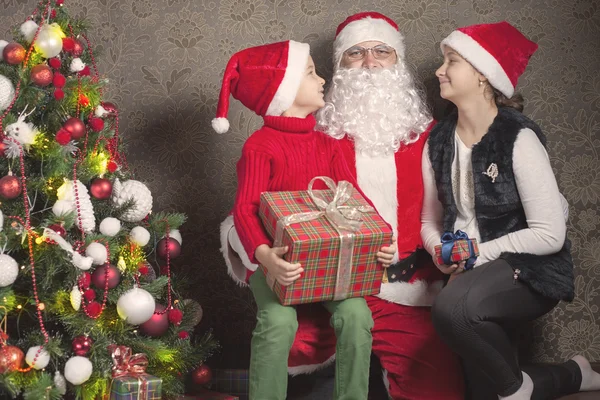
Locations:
(274, 334)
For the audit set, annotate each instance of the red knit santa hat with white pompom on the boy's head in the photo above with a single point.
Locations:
(264, 78)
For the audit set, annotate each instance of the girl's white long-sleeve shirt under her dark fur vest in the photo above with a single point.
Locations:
(545, 208)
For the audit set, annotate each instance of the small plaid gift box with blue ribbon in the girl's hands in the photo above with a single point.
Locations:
(457, 247)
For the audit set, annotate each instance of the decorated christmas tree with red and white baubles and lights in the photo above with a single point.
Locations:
(85, 264)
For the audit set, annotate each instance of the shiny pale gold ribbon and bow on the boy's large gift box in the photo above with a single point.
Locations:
(345, 219)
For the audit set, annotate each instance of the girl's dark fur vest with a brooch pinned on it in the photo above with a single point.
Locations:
(498, 207)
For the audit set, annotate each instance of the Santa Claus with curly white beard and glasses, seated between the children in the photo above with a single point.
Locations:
(377, 112)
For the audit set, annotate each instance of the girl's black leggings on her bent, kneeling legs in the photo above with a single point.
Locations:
(473, 315)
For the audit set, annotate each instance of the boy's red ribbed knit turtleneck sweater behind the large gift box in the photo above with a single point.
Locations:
(283, 155)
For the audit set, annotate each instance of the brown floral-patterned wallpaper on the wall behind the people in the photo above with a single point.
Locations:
(164, 60)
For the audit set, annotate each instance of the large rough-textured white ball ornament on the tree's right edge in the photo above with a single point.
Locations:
(136, 190)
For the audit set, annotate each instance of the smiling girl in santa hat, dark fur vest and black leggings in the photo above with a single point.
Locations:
(486, 172)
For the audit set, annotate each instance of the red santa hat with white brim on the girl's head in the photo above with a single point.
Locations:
(498, 51)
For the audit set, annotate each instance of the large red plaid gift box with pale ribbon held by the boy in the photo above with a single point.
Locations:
(334, 234)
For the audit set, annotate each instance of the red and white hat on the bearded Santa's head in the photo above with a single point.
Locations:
(364, 27)
